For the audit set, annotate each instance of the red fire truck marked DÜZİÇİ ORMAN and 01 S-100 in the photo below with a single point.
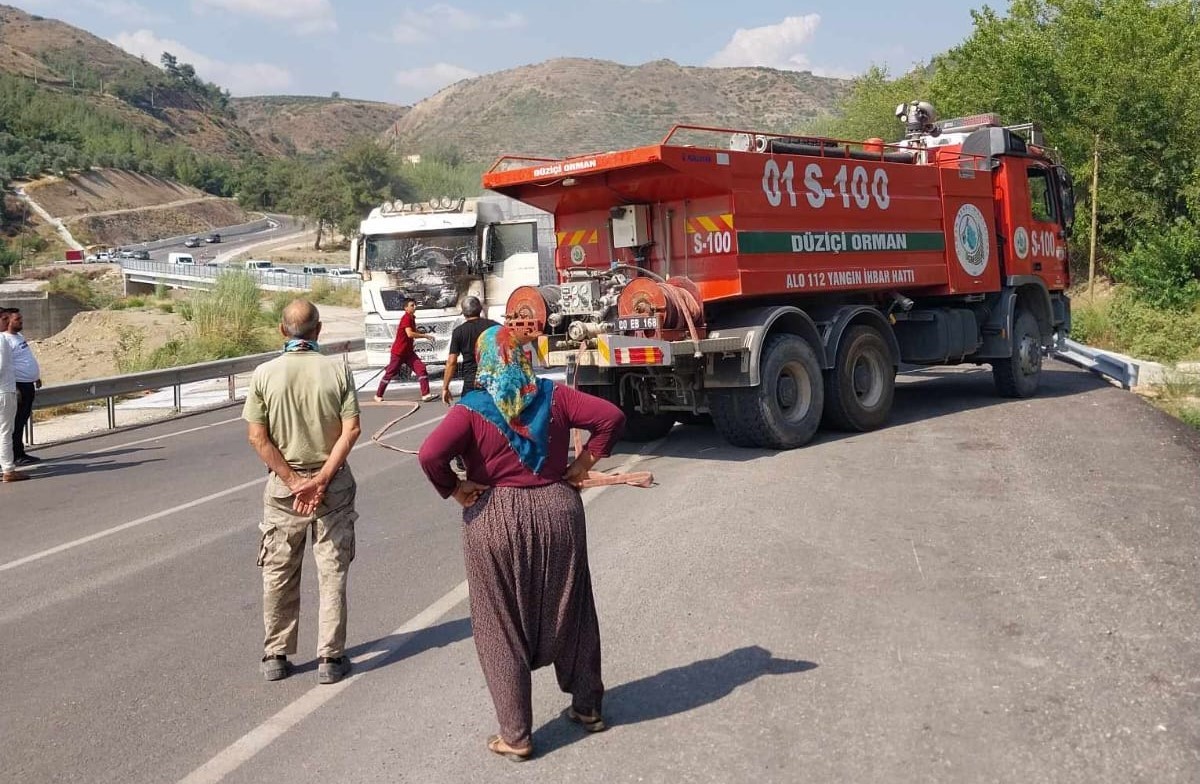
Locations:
(779, 282)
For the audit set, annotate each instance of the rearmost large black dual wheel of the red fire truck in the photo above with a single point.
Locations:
(784, 411)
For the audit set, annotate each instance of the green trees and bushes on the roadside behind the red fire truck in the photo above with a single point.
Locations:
(1113, 80)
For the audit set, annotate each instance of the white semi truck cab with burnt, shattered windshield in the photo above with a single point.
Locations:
(440, 253)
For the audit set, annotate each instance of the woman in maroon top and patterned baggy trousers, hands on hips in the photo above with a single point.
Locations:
(525, 536)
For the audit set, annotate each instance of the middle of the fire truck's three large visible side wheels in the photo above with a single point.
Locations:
(862, 385)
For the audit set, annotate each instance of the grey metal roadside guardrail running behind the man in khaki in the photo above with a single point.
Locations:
(115, 387)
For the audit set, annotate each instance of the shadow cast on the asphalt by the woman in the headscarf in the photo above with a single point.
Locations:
(674, 692)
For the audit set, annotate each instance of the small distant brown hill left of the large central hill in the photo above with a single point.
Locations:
(311, 124)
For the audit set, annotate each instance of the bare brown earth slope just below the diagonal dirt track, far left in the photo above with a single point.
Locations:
(157, 223)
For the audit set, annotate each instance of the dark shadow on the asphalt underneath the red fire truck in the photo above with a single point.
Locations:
(921, 396)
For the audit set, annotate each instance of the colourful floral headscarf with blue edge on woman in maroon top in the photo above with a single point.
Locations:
(513, 398)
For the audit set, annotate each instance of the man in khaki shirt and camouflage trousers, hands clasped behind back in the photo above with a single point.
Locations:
(304, 420)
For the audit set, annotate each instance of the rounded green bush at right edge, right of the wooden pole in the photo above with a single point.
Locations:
(1163, 270)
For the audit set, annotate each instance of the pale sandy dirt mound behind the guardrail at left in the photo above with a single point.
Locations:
(86, 350)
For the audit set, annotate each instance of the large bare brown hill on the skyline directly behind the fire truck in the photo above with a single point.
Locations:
(572, 106)
